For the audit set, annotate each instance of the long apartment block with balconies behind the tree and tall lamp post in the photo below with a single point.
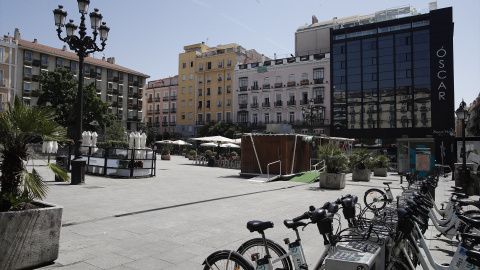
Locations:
(123, 88)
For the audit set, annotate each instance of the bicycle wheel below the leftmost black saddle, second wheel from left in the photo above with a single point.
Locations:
(256, 245)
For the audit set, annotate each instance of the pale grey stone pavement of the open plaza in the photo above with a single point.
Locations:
(176, 219)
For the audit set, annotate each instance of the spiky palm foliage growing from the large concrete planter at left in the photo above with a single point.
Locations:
(19, 126)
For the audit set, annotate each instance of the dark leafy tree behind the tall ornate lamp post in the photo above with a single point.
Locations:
(59, 91)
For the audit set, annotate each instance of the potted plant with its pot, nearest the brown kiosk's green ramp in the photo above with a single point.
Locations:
(335, 163)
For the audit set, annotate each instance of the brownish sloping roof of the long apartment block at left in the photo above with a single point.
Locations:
(71, 55)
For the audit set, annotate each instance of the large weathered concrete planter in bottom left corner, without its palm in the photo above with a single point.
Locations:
(30, 238)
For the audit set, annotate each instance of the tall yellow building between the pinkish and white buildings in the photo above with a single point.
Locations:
(206, 84)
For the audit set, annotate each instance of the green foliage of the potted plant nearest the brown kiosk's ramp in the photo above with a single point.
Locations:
(336, 160)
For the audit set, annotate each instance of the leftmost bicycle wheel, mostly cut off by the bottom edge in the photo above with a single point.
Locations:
(226, 260)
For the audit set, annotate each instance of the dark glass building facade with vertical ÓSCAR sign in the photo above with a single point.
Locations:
(394, 78)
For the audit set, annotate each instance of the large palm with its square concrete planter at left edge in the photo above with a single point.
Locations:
(29, 228)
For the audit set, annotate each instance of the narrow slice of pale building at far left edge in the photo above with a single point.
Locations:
(8, 66)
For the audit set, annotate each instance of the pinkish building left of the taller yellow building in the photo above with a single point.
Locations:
(162, 105)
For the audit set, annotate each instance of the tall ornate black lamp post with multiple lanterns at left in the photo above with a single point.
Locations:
(82, 45)
